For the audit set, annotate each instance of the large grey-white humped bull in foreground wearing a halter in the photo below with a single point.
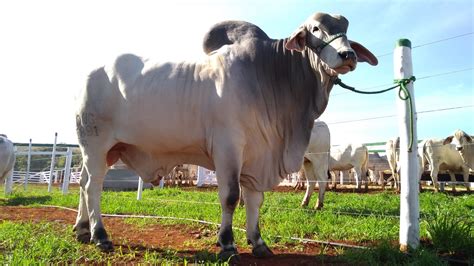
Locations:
(245, 111)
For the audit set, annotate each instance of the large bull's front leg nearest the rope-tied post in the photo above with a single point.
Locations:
(254, 200)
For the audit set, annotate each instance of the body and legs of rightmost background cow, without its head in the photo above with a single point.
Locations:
(444, 157)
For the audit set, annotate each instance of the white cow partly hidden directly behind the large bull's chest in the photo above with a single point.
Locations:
(316, 163)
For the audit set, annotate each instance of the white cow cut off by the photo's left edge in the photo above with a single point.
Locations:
(7, 161)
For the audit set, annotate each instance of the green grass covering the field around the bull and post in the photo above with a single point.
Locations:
(361, 219)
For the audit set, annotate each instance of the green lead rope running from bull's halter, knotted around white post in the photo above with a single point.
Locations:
(403, 94)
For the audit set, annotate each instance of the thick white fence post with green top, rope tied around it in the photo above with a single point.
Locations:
(409, 202)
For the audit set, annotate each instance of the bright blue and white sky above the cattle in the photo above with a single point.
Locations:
(47, 48)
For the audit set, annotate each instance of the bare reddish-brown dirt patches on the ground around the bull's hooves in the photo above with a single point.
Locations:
(186, 240)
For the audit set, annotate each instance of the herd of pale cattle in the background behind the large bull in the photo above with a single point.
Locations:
(344, 164)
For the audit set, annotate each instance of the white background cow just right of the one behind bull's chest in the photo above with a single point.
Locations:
(351, 156)
